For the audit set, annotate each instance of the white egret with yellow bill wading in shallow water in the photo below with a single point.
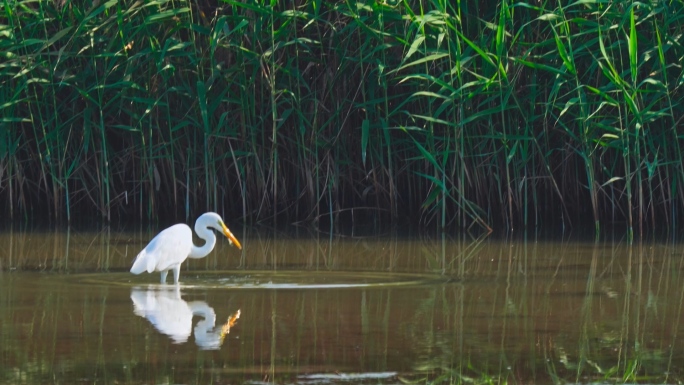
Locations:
(174, 245)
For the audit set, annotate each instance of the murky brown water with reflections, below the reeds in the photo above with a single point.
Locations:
(321, 309)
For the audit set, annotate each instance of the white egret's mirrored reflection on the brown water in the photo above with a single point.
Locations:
(171, 315)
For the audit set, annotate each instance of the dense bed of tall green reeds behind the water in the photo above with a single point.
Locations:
(498, 114)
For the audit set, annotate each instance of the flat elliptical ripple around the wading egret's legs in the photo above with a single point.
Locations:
(267, 279)
